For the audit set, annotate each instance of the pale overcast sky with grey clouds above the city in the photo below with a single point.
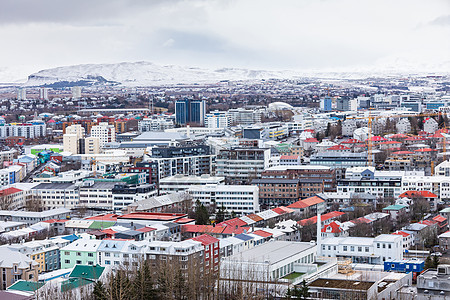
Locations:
(261, 34)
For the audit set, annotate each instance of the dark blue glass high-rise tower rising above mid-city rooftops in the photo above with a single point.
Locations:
(189, 111)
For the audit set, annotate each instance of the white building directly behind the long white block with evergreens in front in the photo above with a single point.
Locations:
(178, 183)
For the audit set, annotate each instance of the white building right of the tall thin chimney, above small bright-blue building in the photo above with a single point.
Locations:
(364, 250)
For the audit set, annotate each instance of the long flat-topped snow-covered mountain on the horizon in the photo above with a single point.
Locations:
(145, 74)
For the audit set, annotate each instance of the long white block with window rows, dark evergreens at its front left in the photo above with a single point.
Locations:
(241, 199)
